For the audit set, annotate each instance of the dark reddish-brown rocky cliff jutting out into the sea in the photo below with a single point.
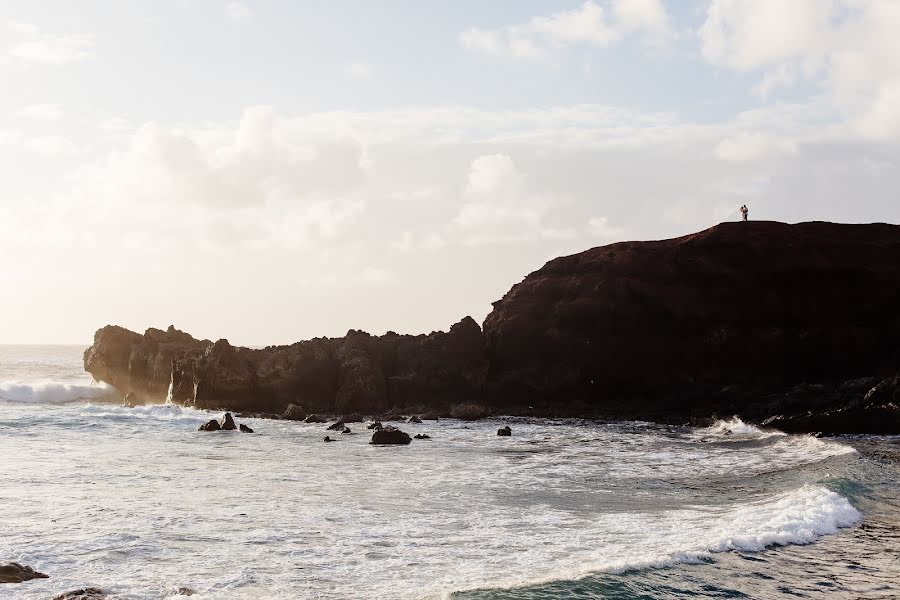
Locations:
(797, 324)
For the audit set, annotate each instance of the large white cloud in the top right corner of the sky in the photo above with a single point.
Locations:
(846, 48)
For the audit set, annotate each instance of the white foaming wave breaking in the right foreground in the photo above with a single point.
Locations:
(798, 517)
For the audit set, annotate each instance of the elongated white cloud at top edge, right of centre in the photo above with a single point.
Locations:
(590, 25)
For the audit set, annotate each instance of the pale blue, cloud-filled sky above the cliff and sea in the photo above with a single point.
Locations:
(277, 170)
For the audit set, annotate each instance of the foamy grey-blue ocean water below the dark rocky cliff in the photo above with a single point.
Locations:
(139, 503)
